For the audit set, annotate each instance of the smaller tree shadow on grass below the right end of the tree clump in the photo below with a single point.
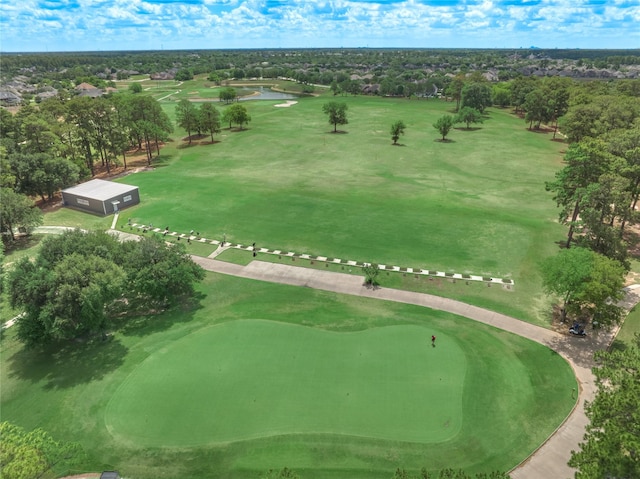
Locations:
(154, 322)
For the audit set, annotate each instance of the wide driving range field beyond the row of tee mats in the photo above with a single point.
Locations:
(475, 204)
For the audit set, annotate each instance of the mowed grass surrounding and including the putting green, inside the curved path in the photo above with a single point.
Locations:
(255, 376)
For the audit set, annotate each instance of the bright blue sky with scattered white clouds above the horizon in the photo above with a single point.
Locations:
(84, 25)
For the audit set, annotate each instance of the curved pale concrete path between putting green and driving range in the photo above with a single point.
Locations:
(550, 459)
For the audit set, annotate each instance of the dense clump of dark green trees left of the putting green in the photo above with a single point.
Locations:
(80, 279)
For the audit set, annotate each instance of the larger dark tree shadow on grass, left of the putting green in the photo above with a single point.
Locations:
(65, 365)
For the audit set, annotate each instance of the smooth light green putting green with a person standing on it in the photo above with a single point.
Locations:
(253, 378)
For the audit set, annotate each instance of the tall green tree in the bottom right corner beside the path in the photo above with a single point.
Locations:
(611, 447)
